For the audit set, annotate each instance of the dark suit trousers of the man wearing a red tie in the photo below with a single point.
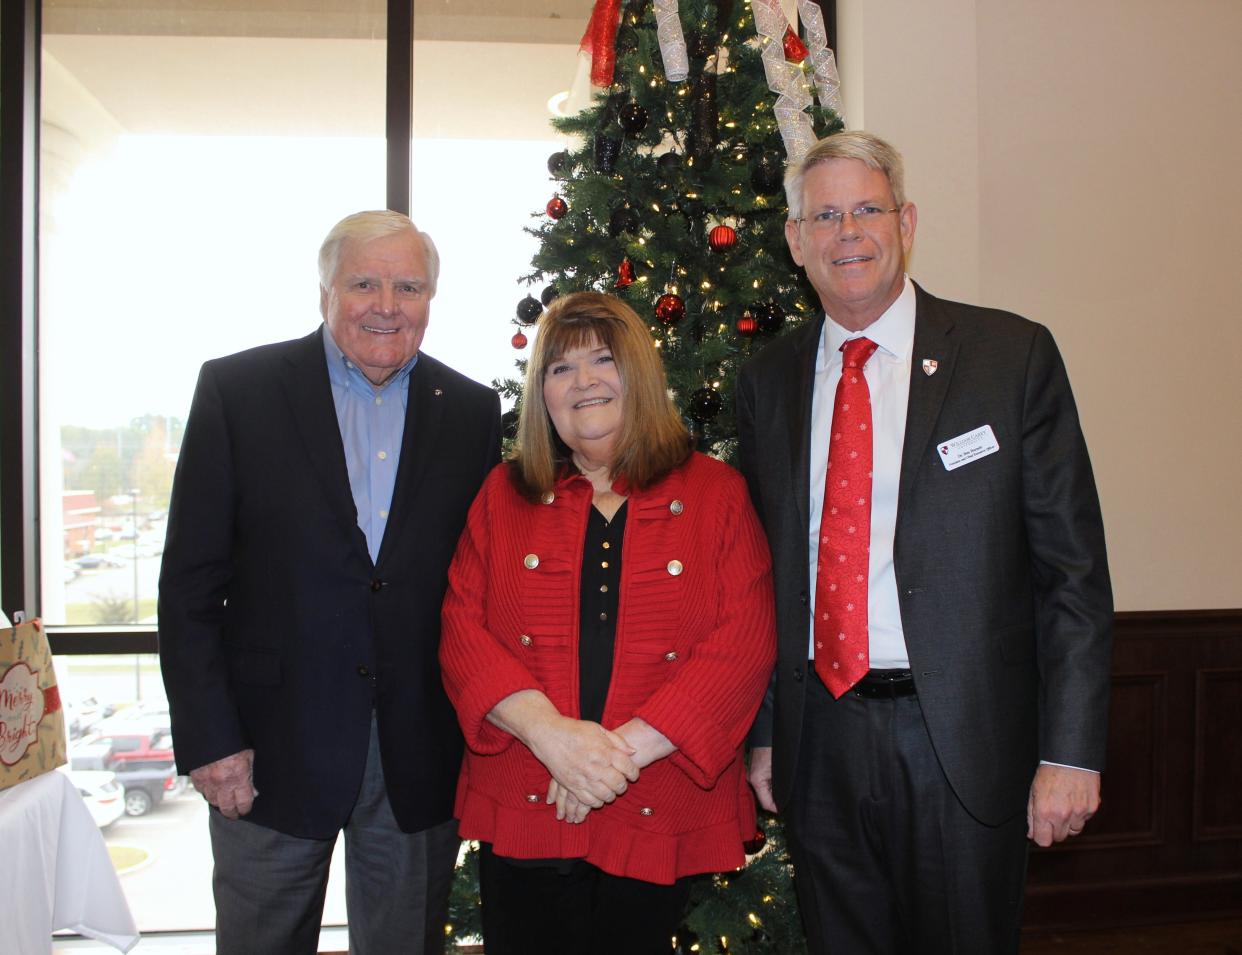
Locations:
(886, 859)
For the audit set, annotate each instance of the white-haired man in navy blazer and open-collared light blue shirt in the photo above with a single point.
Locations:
(320, 495)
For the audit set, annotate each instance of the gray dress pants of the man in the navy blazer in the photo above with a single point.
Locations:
(270, 887)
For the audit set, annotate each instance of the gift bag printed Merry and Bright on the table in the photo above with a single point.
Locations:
(32, 721)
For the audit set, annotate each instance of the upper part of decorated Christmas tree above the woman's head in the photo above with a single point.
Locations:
(671, 197)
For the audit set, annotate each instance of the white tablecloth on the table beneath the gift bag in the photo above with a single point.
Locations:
(55, 872)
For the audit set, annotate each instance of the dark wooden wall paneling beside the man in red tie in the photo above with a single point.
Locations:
(1167, 844)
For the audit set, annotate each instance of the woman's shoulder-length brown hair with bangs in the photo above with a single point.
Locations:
(654, 439)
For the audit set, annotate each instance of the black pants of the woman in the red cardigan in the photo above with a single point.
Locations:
(573, 910)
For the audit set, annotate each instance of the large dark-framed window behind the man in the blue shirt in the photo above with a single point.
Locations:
(192, 156)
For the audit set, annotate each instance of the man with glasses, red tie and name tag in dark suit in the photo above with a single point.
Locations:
(943, 598)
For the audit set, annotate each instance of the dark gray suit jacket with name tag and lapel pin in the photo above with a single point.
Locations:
(1003, 579)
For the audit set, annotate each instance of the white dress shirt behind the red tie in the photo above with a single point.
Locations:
(889, 379)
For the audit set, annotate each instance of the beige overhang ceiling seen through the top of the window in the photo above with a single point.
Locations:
(300, 68)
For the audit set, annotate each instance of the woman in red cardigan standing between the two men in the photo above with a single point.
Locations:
(608, 638)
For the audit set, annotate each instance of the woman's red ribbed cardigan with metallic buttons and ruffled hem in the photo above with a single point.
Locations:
(695, 646)
